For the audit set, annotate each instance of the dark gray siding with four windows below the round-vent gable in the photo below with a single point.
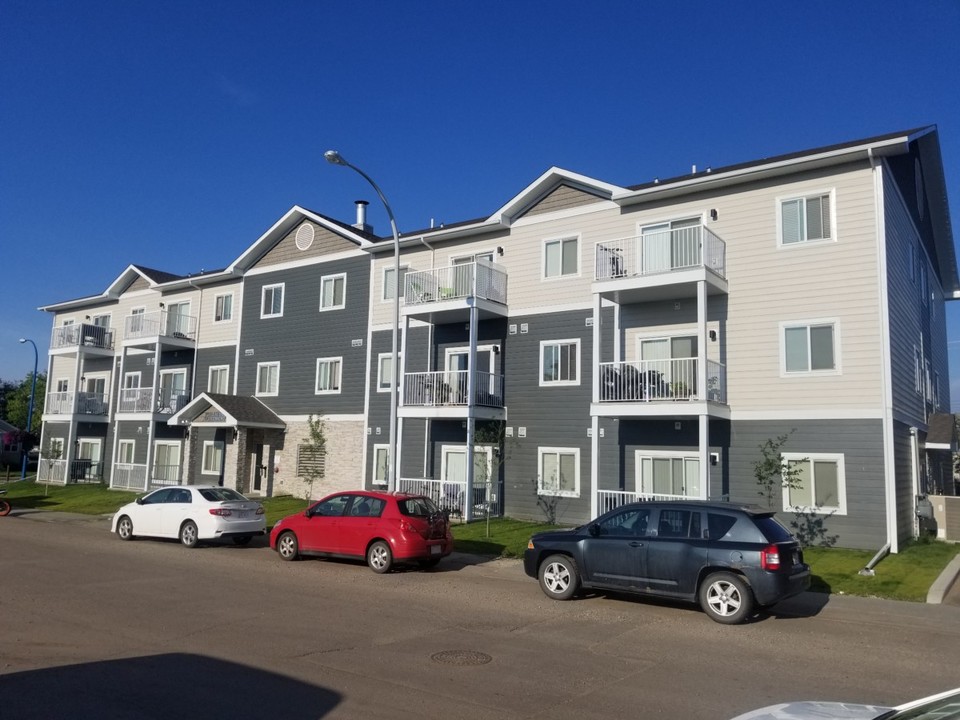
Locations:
(304, 334)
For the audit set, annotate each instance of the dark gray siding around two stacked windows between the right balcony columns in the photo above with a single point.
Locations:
(552, 416)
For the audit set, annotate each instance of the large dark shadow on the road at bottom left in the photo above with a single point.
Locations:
(160, 686)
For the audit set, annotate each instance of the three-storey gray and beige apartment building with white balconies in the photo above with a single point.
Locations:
(584, 345)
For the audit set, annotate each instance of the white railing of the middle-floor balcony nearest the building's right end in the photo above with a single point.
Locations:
(659, 380)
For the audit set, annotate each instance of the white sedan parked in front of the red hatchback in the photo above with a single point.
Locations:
(191, 513)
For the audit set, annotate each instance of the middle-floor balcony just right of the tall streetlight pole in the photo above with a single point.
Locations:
(443, 393)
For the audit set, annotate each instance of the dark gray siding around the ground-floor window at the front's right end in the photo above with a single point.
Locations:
(860, 442)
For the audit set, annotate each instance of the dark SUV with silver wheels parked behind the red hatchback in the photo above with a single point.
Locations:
(730, 558)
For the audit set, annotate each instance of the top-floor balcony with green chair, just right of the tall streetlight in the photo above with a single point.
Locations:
(446, 294)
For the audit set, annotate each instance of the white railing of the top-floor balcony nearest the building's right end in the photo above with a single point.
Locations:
(667, 251)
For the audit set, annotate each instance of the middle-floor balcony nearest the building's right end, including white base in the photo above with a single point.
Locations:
(649, 383)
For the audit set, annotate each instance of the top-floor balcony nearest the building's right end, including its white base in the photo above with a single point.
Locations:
(661, 265)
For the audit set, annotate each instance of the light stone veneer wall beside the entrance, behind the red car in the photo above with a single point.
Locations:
(344, 466)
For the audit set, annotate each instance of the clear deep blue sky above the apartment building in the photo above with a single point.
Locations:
(172, 134)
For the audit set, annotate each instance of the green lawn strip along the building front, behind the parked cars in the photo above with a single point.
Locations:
(904, 576)
